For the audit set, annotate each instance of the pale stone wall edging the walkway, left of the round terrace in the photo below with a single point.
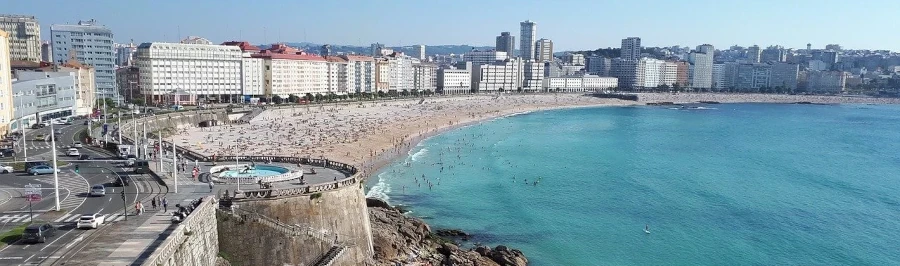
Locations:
(193, 242)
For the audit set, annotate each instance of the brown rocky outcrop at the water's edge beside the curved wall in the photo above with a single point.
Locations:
(400, 238)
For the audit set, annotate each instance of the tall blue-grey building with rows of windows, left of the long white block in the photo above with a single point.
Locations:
(93, 44)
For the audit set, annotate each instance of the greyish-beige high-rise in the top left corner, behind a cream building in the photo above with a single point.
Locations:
(24, 37)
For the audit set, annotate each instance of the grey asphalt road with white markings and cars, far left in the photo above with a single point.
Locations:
(73, 197)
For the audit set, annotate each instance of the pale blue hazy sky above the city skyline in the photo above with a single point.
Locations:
(571, 24)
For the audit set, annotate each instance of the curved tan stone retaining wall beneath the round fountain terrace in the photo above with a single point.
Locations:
(341, 211)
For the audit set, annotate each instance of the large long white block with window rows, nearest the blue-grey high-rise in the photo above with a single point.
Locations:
(189, 72)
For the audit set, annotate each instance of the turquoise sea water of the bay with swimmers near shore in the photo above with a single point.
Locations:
(741, 184)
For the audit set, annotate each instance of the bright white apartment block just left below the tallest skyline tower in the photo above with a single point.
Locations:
(506, 75)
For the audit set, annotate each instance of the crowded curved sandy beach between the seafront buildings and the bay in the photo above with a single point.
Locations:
(370, 134)
